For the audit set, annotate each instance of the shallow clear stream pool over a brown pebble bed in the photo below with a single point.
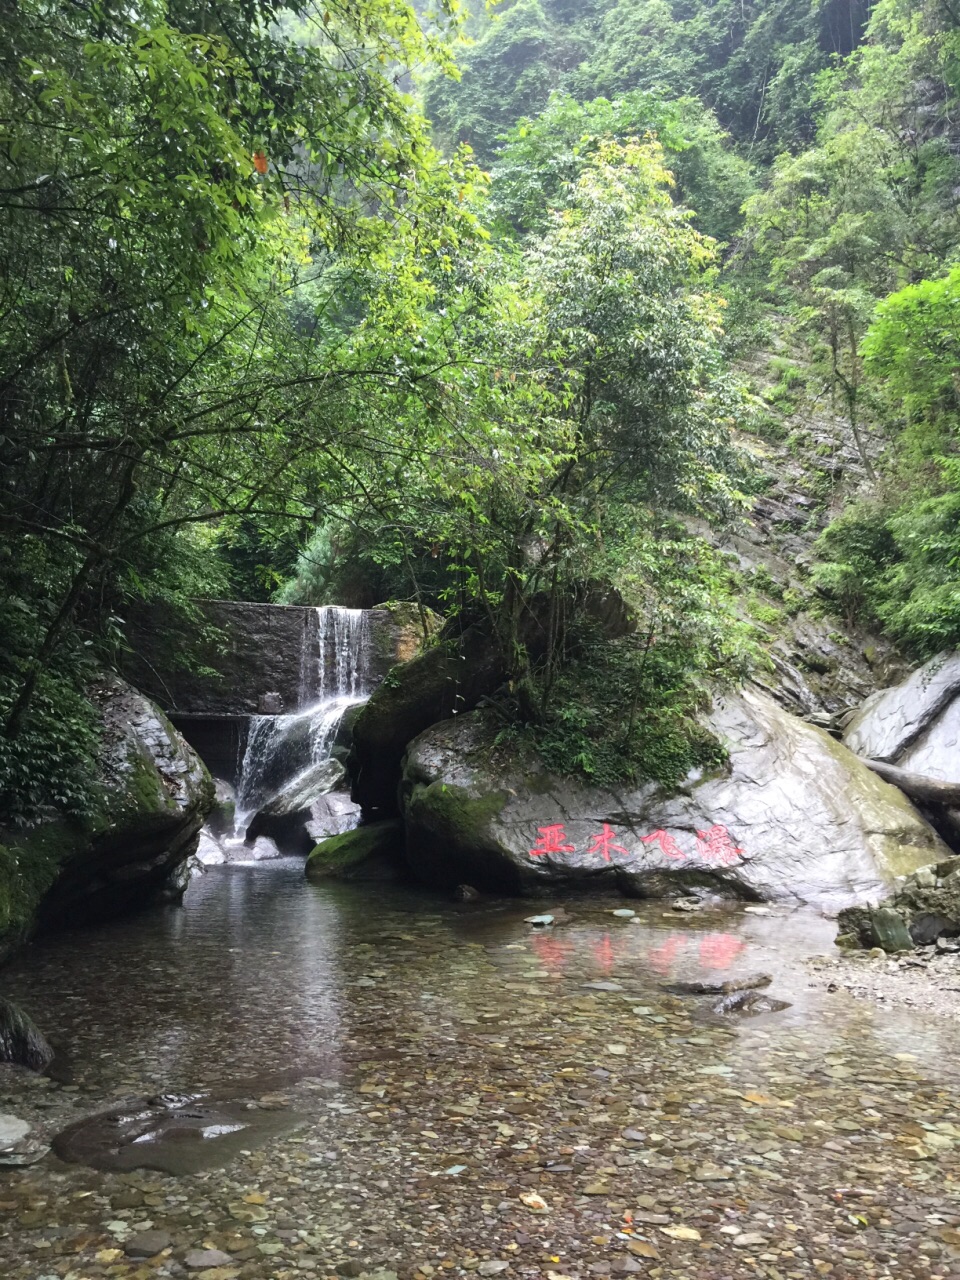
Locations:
(473, 1096)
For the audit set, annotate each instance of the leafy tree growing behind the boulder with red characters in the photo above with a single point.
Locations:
(625, 336)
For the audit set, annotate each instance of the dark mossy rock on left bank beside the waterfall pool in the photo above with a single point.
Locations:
(154, 797)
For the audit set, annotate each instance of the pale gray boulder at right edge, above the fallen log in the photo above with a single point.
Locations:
(915, 725)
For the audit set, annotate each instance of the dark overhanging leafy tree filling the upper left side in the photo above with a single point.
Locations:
(170, 179)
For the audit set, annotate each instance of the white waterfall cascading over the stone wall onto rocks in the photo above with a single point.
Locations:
(333, 676)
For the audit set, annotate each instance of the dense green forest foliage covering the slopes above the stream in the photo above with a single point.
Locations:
(260, 335)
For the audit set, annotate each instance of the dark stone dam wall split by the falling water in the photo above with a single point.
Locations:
(235, 652)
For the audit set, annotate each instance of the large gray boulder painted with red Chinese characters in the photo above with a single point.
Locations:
(793, 817)
